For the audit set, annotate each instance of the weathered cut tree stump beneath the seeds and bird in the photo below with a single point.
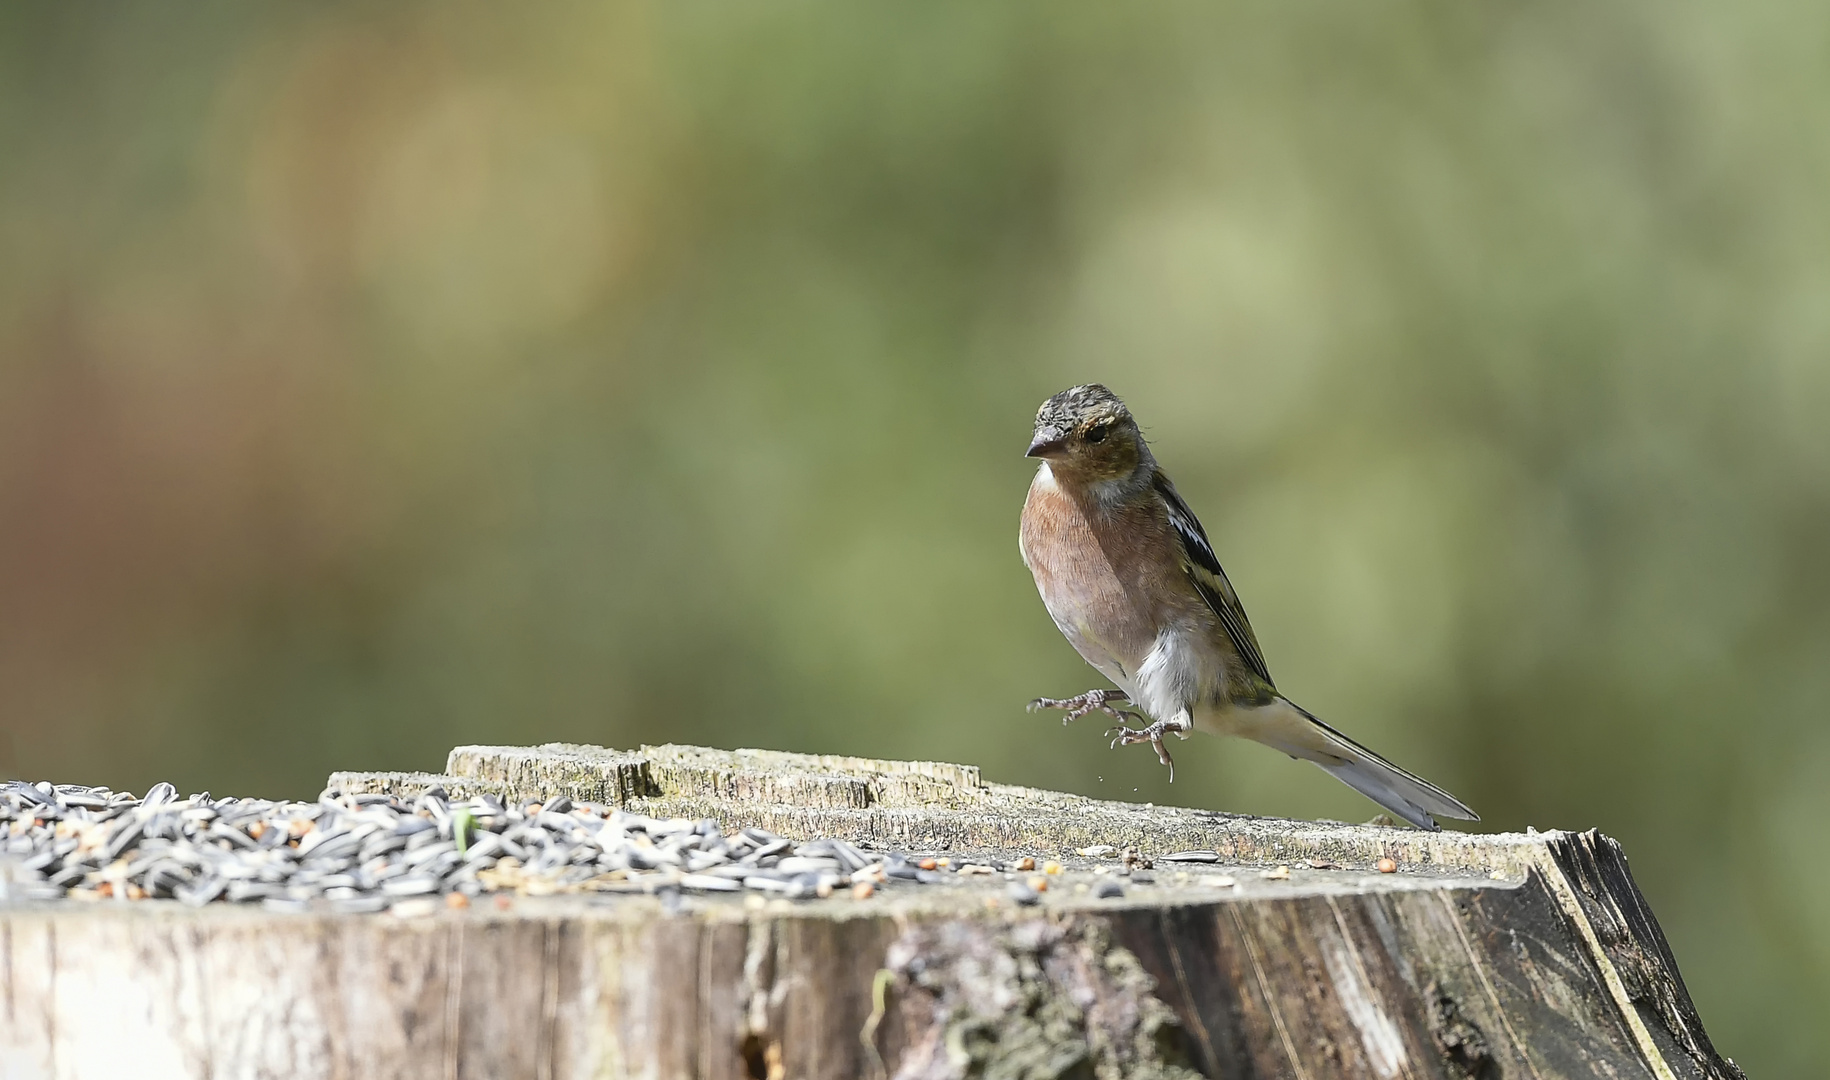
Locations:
(1485, 956)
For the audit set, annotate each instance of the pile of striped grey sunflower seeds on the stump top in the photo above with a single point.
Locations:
(374, 852)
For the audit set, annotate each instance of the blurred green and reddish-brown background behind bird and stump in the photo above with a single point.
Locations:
(383, 378)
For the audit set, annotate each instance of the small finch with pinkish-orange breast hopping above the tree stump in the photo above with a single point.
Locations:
(1132, 581)
